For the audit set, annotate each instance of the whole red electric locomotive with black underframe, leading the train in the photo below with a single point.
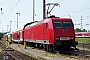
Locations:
(53, 34)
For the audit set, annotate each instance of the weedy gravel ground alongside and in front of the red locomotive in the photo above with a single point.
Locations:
(81, 53)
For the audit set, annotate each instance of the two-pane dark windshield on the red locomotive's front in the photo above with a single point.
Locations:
(62, 25)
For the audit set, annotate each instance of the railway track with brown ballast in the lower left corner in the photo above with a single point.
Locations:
(11, 54)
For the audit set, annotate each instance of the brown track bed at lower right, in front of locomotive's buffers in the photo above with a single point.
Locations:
(77, 54)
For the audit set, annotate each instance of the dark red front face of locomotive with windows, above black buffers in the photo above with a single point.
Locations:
(63, 30)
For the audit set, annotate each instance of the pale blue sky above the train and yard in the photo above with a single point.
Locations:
(68, 9)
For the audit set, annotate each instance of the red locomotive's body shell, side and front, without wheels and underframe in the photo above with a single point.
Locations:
(50, 31)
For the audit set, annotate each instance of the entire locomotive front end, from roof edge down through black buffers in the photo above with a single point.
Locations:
(64, 34)
